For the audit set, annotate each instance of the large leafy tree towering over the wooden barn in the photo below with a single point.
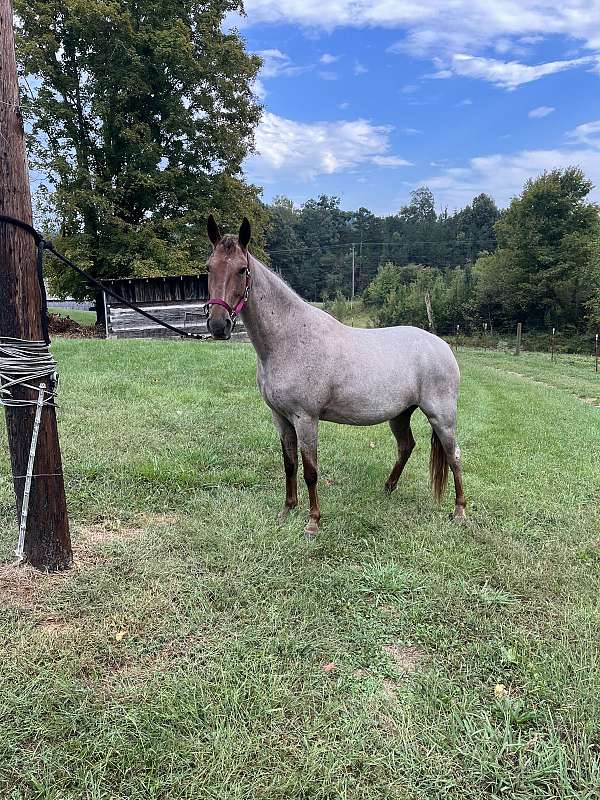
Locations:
(142, 113)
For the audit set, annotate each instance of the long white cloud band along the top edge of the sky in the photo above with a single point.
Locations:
(440, 24)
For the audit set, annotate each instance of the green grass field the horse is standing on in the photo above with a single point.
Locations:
(199, 651)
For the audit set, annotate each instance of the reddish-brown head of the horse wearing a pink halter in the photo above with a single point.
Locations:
(228, 278)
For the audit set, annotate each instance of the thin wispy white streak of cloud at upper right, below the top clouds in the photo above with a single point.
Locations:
(508, 74)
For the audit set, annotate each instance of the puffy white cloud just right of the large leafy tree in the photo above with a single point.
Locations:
(300, 150)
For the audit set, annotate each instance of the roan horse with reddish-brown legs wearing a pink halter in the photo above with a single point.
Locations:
(312, 367)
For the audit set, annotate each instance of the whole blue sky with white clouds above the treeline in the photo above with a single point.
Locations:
(368, 99)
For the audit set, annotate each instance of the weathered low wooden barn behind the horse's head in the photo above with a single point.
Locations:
(176, 299)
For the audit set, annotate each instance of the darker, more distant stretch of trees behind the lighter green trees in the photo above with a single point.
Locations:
(311, 246)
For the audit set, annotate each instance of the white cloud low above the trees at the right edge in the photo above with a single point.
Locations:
(503, 175)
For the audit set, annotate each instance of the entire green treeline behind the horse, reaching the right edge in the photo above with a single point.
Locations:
(537, 262)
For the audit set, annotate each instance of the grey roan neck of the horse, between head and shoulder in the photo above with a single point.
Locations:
(270, 308)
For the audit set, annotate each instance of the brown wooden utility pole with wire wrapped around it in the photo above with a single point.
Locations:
(47, 541)
